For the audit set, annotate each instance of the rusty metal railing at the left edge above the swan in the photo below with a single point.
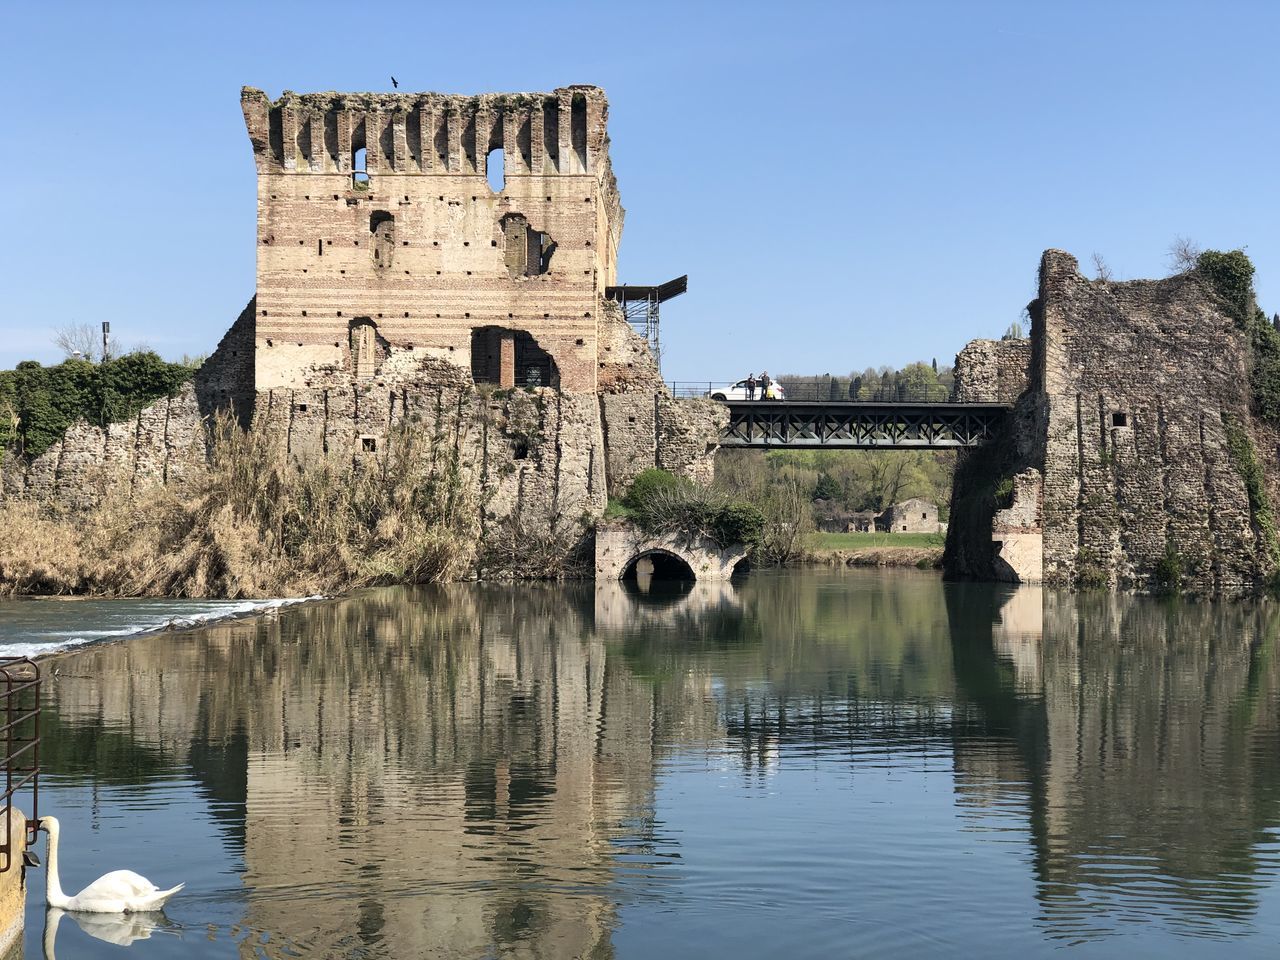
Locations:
(20, 710)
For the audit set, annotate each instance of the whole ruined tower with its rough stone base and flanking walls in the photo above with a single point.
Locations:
(396, 286)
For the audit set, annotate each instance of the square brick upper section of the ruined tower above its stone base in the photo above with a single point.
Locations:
(382, 244)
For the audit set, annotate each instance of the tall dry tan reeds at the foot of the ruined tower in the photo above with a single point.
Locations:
(255, 525)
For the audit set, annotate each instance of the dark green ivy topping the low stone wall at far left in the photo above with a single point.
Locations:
(38, 403)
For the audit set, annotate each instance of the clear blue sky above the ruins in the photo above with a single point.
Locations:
(847, 185)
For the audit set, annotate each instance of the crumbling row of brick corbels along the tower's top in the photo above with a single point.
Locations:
(540, 135)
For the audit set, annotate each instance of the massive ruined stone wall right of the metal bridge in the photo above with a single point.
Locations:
(1117, 454)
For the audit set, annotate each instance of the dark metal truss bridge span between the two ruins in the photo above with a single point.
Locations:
(856, 426)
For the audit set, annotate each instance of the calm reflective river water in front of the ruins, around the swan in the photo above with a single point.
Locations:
(810, 765)
